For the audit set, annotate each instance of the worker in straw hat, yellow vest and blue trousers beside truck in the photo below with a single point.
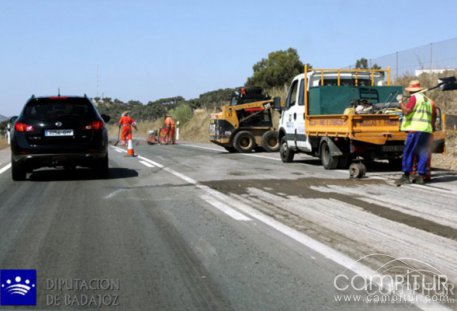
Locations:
(418, 120)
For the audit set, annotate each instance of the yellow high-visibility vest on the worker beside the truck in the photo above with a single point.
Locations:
(420, 118)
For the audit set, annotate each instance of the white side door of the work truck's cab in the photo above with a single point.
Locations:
(294, 117)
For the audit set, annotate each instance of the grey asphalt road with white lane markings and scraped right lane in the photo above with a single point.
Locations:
(192, 227)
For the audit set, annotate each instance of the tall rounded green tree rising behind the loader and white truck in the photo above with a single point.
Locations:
(275, 71)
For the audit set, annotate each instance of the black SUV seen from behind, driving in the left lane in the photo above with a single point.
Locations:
(59, 131)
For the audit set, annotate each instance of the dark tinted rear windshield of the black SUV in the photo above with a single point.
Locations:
(51, 109)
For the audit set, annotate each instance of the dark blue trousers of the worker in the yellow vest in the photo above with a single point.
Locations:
(417, 146)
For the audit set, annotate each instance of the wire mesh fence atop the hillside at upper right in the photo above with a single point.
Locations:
(434, 57)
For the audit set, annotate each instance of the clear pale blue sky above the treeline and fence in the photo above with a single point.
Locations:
(150, 49)
